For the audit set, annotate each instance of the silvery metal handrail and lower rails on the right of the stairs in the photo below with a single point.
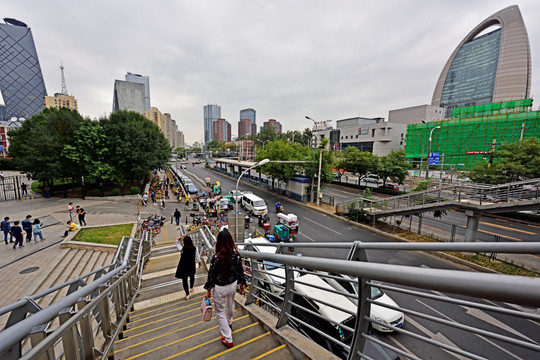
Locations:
(517, 290)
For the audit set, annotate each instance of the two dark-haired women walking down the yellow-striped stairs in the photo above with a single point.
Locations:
(225, 273)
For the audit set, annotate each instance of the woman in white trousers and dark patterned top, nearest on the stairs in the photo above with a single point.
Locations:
(224, 274)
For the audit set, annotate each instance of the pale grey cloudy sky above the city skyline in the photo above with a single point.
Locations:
(284, 58)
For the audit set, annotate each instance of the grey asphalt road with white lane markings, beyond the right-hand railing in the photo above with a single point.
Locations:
(318, 227)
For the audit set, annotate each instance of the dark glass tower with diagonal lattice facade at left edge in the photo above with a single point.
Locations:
(21, 80)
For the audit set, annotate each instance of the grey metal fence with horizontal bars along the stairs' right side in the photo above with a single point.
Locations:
(479, 291)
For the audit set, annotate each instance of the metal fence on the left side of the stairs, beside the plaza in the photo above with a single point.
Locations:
(85, 322)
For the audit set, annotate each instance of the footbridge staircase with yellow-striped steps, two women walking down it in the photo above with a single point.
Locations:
(163, 325)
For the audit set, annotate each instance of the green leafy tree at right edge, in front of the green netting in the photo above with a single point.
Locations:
(511, 162)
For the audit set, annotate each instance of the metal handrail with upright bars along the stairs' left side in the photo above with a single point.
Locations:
(117, 287)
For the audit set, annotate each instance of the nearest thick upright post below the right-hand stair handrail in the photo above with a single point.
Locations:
(362, 324)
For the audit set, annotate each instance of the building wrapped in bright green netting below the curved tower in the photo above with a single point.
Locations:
(471, 135)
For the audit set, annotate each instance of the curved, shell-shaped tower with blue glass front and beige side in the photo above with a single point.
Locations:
(491, 64)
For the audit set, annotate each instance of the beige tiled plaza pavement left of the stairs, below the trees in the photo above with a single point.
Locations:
(45, 255)
